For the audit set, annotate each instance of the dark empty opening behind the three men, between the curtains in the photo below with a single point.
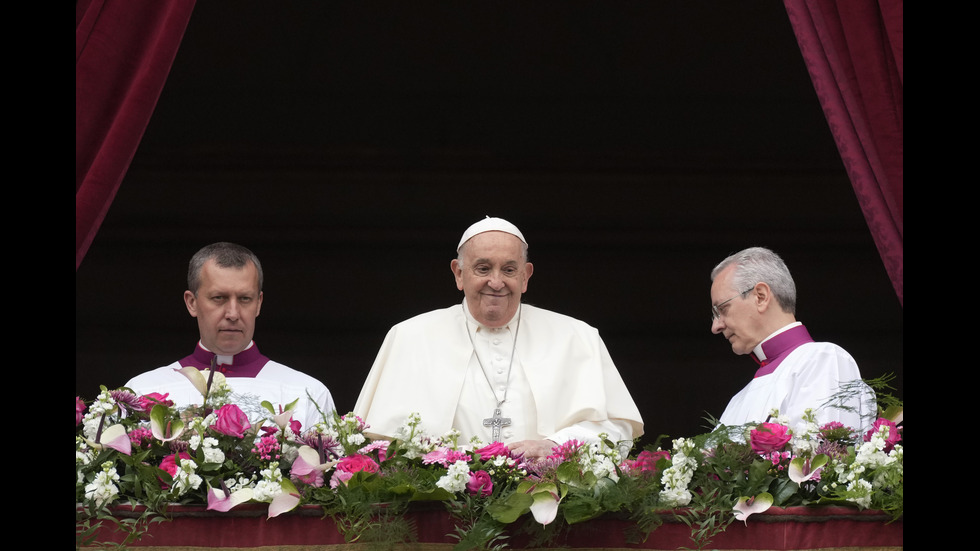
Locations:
(349, 145)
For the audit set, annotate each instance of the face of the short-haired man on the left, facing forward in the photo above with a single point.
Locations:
(226, 306)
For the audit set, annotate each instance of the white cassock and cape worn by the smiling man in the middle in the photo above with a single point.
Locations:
(561, 386)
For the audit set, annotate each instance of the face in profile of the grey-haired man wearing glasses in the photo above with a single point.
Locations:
(739, 321)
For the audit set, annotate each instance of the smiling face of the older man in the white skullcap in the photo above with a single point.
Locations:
(493, 276)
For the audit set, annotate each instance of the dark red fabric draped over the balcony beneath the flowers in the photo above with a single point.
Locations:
(246, 527)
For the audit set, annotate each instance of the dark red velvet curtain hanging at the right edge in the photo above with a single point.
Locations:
(854, 52)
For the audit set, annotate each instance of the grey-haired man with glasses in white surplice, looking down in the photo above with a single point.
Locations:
(753, 305)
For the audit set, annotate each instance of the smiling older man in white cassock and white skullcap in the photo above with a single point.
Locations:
(495, 369)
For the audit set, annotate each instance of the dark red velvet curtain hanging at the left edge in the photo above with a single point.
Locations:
(123, 54)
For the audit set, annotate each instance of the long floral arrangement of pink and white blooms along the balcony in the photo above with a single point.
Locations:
(142, 450)
